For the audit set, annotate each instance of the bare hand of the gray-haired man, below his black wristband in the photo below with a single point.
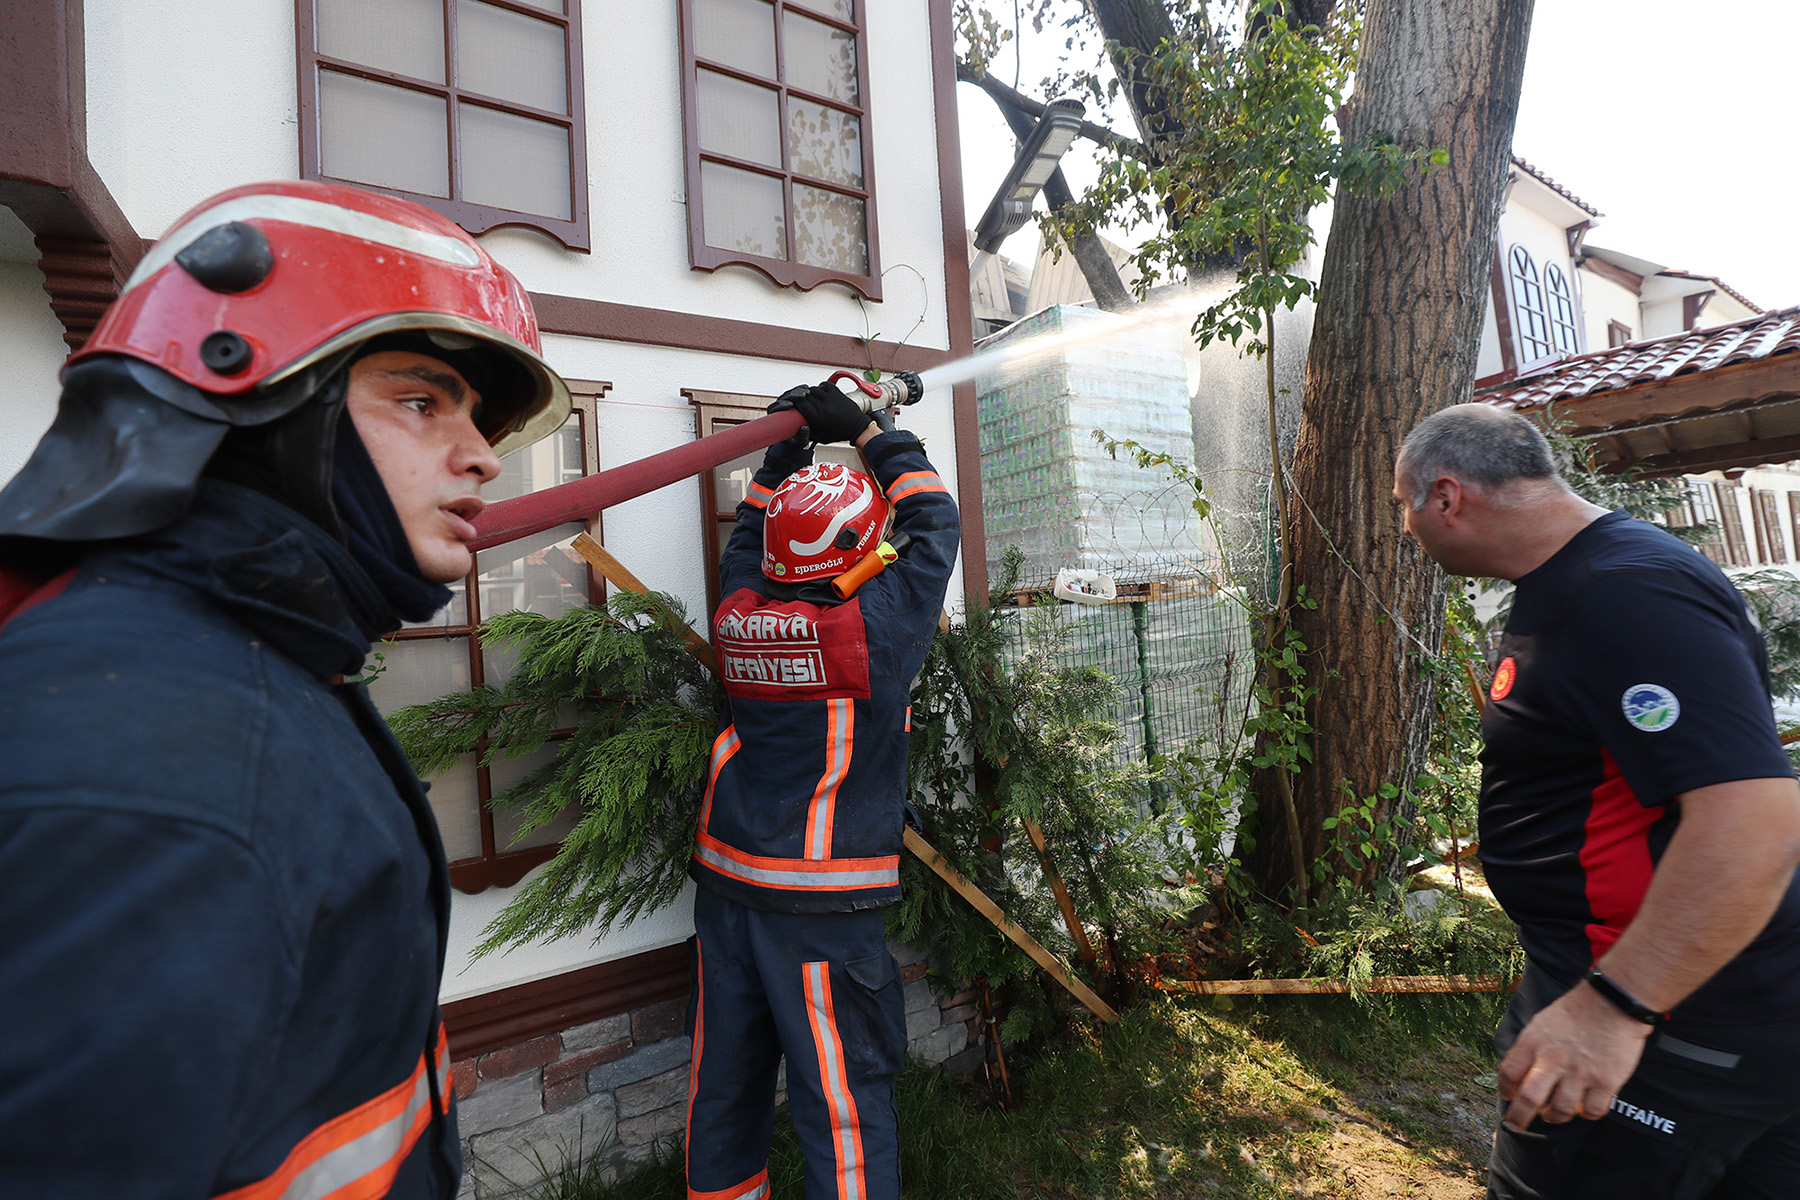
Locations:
(1570, 1061)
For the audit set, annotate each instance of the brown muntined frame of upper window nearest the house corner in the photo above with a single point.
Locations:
(782, 273)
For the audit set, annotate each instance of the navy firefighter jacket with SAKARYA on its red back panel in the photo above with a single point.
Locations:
(807, 787)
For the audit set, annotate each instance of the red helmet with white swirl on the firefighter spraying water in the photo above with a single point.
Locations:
(822, 521)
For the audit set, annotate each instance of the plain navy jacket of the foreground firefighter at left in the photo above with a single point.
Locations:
(224, 893)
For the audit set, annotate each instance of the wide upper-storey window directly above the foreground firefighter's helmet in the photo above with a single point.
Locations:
(469, 107)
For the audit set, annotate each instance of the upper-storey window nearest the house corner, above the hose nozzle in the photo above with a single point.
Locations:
(780, 166)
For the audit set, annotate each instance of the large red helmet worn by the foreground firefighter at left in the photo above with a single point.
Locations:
(264, 282)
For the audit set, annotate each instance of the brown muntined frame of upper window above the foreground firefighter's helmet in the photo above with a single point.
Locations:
(476, 219)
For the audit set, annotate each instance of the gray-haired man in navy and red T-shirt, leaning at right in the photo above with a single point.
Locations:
(1641, 825)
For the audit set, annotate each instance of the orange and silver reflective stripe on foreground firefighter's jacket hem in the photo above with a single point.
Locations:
(357, 1156)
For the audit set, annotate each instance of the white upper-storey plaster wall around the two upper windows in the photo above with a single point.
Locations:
(193, 96)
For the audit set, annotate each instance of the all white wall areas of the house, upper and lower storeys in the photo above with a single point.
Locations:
(188, 98)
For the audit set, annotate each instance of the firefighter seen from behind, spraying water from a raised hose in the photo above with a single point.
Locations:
(800, 832)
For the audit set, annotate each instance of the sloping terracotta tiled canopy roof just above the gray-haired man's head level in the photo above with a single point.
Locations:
(1651, 361)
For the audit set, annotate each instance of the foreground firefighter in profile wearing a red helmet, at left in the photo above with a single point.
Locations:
(226, 899)
